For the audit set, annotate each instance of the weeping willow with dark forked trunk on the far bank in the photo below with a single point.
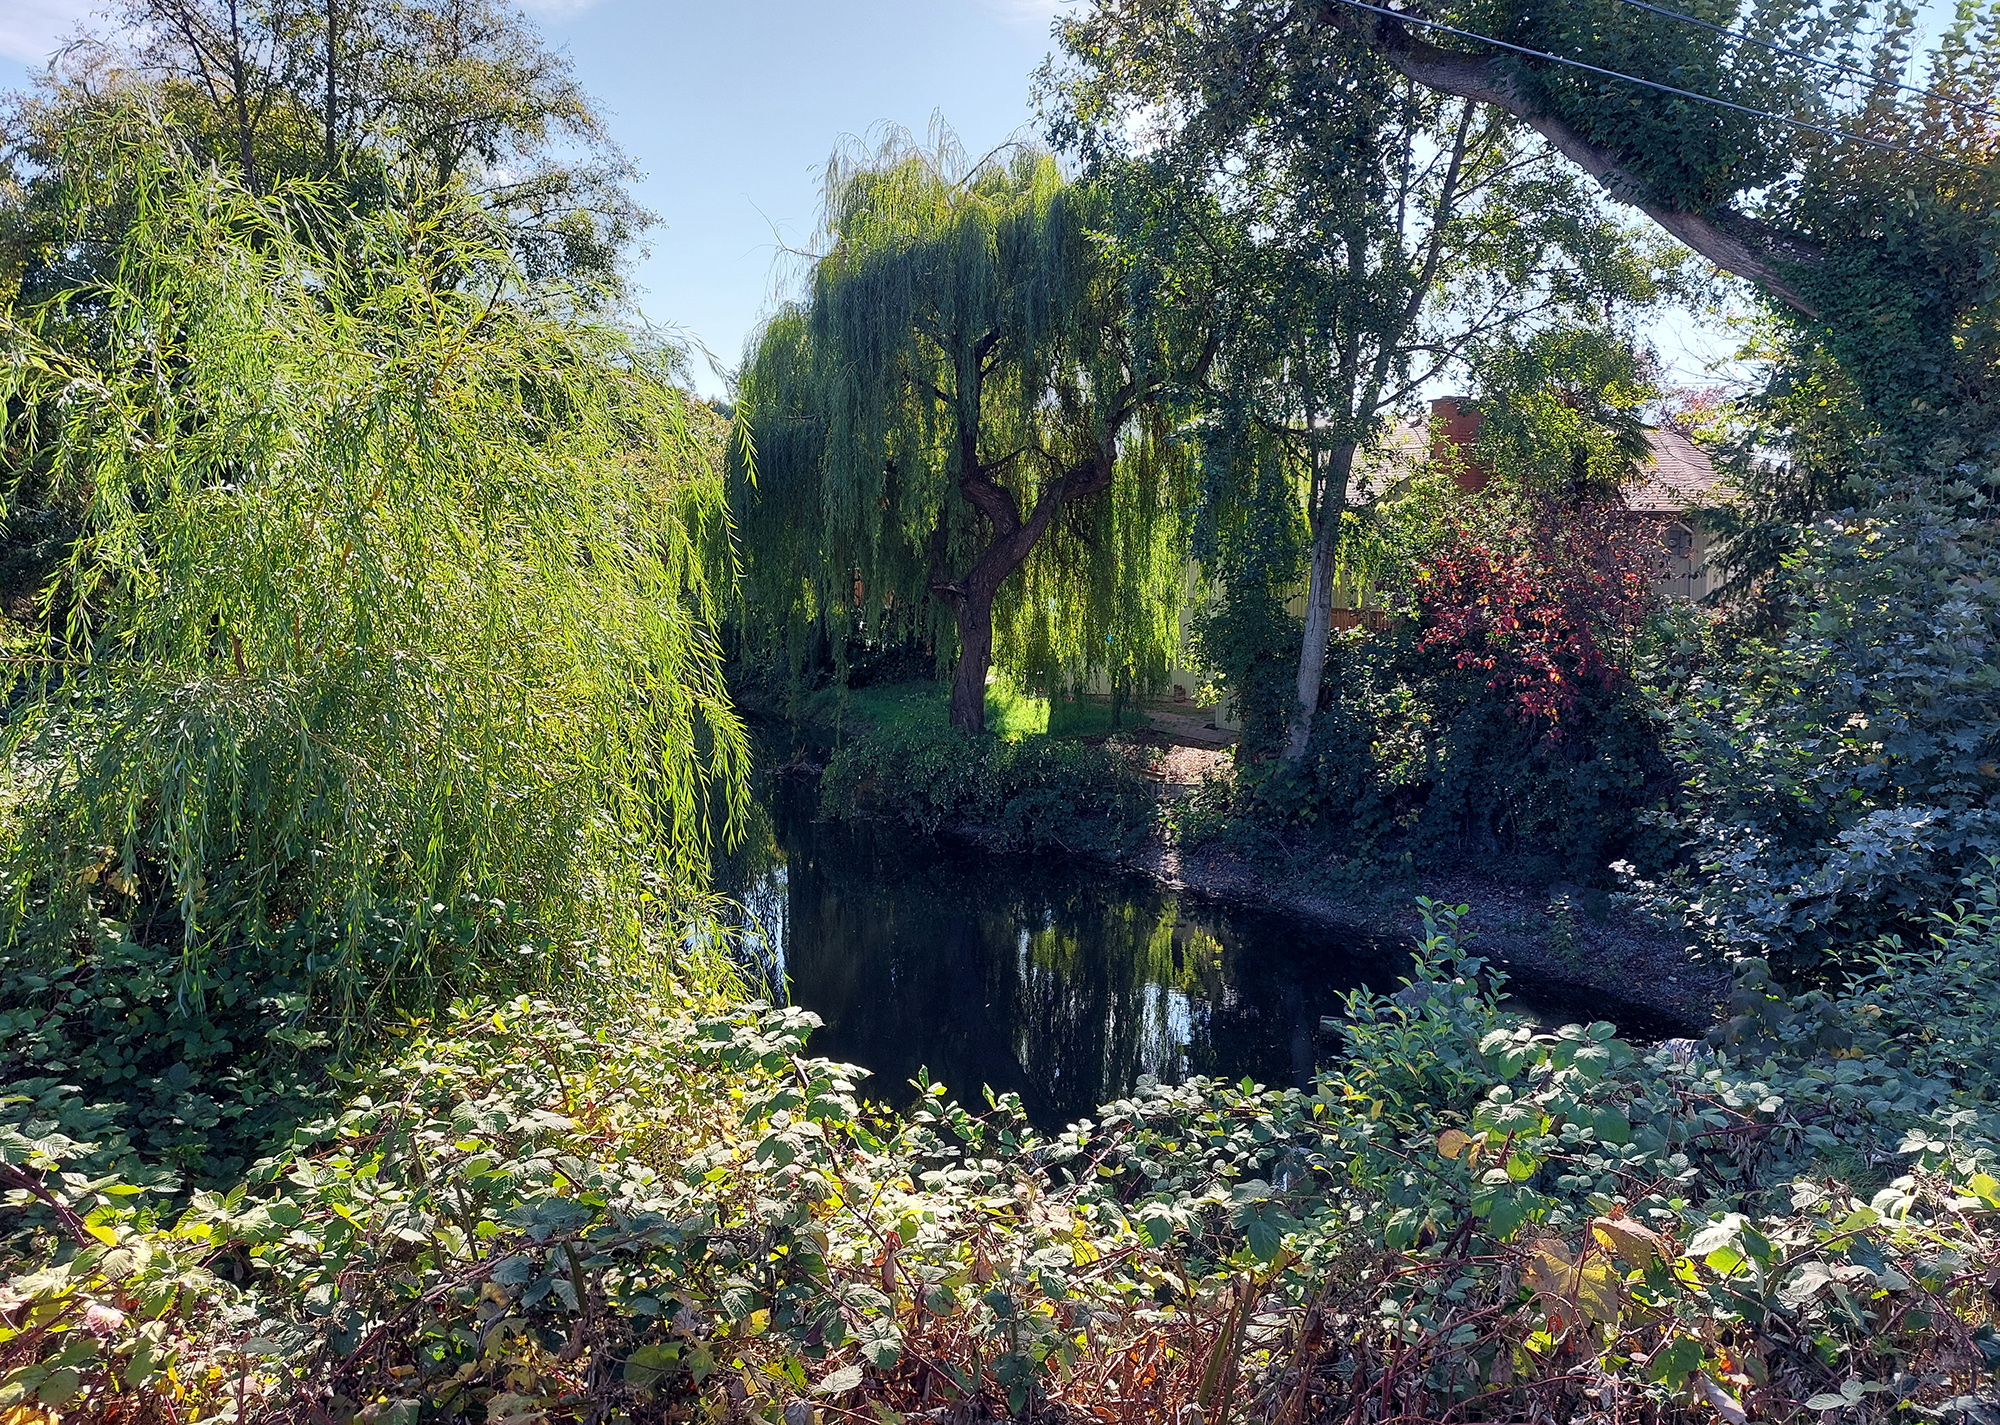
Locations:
(967, 427)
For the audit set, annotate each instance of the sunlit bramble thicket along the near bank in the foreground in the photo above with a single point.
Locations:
(665, 1218)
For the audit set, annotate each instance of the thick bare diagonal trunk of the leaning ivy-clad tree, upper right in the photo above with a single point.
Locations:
(1729, 239)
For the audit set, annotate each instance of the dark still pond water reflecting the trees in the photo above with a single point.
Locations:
(1059, 980)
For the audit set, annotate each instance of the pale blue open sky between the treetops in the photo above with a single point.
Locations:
(733, 111)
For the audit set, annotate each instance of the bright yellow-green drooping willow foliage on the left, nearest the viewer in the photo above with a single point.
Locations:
(389, 635)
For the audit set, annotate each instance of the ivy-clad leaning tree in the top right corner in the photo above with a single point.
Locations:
(1793, 151)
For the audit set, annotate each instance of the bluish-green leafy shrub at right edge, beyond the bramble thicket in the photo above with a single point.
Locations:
(1843, 774)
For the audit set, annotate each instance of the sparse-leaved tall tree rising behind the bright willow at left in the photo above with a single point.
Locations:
(391, 101)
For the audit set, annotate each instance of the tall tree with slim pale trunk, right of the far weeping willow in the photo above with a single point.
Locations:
(1365, 231)
